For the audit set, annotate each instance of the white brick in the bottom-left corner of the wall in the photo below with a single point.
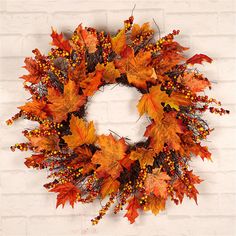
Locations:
(14, 226)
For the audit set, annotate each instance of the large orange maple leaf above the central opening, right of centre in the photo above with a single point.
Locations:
(137, 67)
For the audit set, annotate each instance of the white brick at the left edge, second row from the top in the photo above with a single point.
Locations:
(24, 23)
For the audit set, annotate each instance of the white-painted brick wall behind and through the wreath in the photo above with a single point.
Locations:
(207, 26)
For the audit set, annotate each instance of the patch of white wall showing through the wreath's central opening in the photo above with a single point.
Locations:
(113, 110)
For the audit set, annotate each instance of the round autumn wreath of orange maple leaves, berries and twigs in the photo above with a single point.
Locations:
(85, 166)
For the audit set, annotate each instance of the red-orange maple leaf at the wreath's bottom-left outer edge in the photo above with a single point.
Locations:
(66, 192)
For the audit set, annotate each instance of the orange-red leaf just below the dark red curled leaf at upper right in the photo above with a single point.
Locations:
(195, 82)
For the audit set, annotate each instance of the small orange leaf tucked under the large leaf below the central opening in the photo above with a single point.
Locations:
(109, 186)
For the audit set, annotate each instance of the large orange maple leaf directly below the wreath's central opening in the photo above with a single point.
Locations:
(112, 151)
